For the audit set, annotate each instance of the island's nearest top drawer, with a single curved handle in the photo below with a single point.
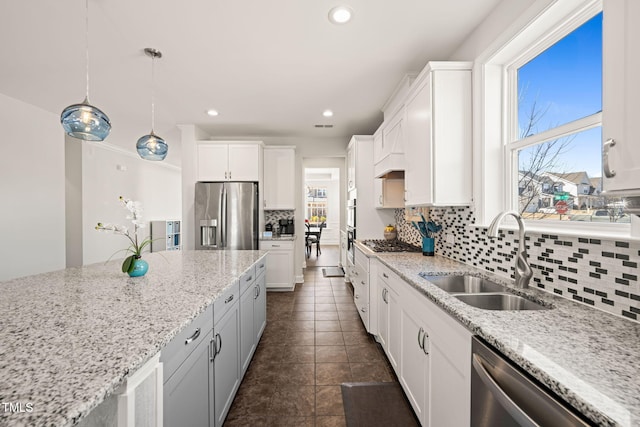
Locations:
(185, 342)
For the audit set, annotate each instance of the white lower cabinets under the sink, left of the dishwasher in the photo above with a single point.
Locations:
(428, 349)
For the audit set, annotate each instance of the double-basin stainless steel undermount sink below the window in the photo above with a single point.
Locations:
(482, 293)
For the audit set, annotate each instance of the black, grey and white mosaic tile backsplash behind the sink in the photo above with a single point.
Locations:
(601, 273)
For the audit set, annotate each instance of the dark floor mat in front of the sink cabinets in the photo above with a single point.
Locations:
(376, 404)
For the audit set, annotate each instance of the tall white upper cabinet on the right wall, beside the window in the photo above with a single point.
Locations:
(438, 136)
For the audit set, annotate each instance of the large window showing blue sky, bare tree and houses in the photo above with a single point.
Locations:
(556, 137)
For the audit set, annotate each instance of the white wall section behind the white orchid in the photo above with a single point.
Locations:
(109, 172)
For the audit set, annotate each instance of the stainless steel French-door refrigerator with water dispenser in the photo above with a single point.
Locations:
(226, 215)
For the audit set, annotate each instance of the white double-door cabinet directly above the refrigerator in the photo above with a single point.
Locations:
(224, 161)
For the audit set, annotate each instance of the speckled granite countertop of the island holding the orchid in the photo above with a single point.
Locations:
(69, 338)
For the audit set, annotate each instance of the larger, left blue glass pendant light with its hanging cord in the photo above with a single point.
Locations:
(83, 120)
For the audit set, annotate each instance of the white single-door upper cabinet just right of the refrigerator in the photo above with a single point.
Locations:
(279, 178)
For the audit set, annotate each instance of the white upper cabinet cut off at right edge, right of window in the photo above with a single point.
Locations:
(621, 96)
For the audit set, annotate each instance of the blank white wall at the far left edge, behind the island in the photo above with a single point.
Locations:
(32, 188)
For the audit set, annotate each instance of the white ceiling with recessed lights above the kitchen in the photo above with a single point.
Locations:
(269, 67)
